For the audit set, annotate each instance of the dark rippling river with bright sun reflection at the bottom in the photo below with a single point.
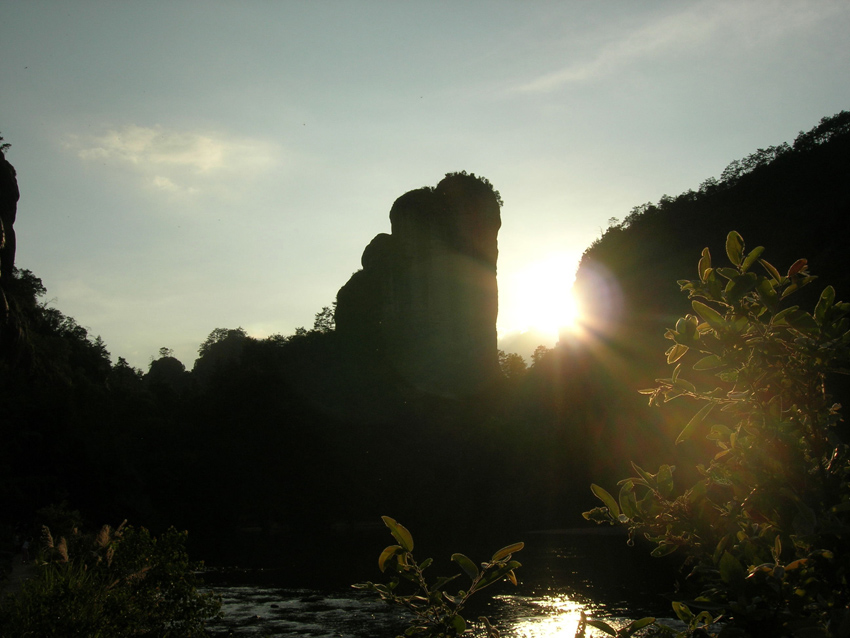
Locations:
(563, 573)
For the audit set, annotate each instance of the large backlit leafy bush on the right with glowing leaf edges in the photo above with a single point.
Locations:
(764, 527)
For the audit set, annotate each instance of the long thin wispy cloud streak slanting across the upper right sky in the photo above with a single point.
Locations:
(684, 31)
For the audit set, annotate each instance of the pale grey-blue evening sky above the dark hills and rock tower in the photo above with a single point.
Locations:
(191, 165)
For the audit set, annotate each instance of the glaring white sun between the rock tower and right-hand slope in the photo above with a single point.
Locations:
(539, 296)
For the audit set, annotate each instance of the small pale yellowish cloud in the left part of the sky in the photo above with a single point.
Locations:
(174, 161)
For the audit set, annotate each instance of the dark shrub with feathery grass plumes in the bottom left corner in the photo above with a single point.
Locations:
(123, 582)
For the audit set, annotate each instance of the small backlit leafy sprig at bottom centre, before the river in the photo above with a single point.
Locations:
(437, 612)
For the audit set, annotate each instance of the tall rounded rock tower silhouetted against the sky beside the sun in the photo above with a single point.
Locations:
(426, 298)
